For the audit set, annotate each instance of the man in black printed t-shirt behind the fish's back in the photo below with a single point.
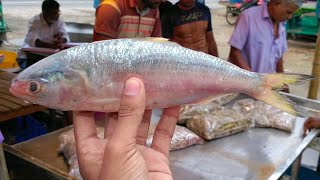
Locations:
(189, 24)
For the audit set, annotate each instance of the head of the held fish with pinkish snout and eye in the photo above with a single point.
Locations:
(59, 88)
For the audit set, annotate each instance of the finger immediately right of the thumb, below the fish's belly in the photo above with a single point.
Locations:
(143, 128)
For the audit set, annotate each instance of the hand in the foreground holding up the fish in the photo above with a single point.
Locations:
(122, 154)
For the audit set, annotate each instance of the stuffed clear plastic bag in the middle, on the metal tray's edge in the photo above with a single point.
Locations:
(219, 123)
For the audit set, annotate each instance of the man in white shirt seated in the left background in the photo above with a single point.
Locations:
(45, 30)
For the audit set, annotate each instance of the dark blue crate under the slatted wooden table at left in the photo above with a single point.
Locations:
(28, 127)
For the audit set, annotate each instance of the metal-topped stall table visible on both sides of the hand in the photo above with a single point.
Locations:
(258, 153)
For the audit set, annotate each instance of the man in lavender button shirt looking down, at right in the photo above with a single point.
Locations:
(259, 39)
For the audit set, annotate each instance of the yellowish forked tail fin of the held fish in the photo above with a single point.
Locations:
(269, 93)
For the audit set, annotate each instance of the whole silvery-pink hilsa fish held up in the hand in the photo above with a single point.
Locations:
(91, 77)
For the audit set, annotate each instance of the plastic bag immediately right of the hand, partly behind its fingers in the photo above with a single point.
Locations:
(182, 138)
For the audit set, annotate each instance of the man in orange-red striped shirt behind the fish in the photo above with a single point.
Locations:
(127, 19)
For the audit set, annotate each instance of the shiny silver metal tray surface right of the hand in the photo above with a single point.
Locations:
(259, 153)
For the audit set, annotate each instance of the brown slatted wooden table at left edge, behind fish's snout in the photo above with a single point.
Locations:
(11, 106)
